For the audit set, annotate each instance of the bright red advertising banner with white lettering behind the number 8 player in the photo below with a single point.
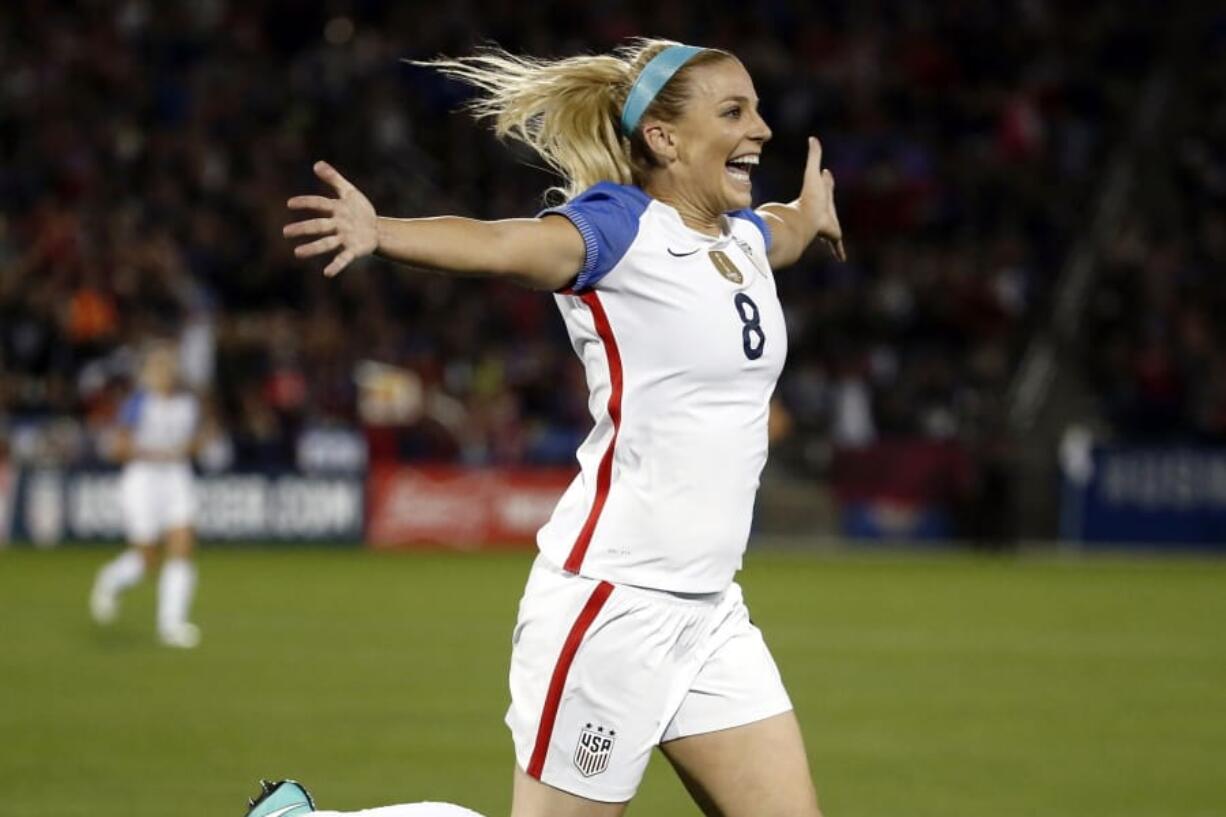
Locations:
(460, 508)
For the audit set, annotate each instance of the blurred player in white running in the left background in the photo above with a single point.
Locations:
(160, 430)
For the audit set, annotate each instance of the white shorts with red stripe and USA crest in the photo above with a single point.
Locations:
(603, 674)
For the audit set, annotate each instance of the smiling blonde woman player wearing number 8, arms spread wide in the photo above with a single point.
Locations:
(632, 632)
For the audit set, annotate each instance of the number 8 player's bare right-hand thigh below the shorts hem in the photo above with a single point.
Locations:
(760, 770)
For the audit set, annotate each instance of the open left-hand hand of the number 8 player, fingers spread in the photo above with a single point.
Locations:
(350, 226)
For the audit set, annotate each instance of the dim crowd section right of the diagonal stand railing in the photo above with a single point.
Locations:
(1157, 351)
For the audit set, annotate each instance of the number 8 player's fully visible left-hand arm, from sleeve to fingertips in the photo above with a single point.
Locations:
(539, 253)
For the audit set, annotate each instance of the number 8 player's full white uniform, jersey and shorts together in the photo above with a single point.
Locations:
(632, 630)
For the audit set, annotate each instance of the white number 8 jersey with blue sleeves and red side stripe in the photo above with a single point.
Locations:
(682, 338)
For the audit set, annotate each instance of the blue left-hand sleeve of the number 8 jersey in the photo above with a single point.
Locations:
(607, 217)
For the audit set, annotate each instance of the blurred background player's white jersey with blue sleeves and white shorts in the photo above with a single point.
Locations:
(159, 495)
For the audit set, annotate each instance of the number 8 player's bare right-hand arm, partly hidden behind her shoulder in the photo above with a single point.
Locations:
(795, 225)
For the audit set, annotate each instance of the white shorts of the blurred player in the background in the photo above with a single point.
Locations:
(156, 497)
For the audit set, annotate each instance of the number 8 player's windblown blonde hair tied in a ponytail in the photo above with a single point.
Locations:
(568, 111)
